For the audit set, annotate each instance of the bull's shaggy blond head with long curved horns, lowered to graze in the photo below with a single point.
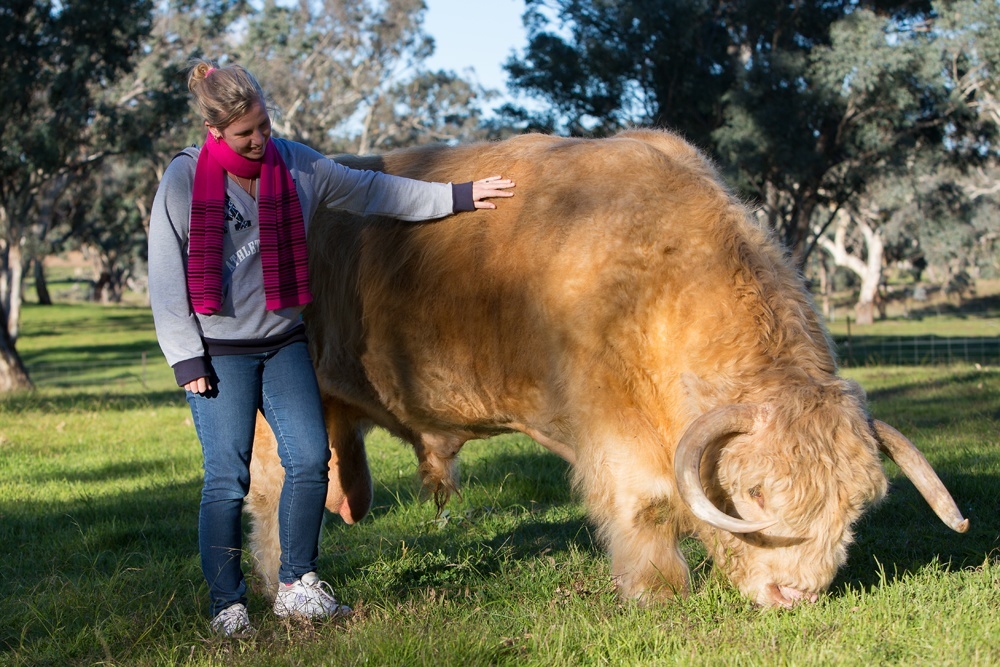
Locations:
(791, 491)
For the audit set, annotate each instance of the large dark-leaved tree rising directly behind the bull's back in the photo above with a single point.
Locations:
(802, 103)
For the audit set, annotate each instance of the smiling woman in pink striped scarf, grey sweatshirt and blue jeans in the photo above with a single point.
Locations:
(228, 280)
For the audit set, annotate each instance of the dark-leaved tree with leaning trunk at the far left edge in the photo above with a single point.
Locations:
(54, 58)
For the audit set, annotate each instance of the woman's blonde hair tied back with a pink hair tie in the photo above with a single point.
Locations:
(223, 94)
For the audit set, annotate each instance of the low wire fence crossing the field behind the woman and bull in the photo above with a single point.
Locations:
(150, 368)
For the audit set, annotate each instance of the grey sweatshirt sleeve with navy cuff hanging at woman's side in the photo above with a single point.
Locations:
(177, 329)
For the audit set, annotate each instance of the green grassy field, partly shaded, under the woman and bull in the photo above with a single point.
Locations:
(99, 485)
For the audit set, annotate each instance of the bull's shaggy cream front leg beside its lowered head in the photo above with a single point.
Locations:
(631, 508)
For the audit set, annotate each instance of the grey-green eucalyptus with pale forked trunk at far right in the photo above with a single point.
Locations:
(928, 86)
